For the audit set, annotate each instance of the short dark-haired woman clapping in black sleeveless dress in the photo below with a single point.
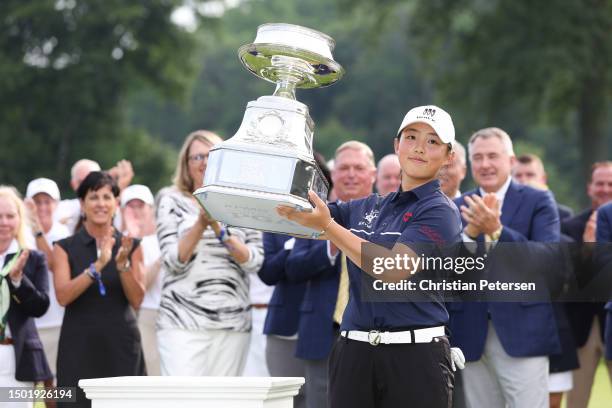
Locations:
(98, 278)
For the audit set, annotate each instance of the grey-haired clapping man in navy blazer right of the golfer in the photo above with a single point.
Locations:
(506, 344)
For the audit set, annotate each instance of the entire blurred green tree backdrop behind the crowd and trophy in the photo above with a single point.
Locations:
(109, 79)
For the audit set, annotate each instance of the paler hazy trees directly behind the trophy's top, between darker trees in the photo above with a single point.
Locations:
(381, 79)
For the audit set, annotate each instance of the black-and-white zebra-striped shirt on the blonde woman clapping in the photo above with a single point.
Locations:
(210, 290)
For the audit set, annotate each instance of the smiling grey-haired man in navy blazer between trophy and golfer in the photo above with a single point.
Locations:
(319, 264)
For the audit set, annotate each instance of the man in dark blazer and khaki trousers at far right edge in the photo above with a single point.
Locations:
(588, 336)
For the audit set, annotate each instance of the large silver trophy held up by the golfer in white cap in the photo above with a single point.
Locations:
(270, 160)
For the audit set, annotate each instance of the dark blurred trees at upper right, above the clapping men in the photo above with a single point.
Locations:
(540, 70)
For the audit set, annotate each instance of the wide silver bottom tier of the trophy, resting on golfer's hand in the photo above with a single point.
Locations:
(253, 209)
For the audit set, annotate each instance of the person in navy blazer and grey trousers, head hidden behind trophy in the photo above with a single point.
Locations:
(283, 316)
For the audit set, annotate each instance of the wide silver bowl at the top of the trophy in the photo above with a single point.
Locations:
(287, 50)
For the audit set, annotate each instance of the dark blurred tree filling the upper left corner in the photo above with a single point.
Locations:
(65, 69)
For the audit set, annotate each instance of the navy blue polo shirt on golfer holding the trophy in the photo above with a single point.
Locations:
(421, 215)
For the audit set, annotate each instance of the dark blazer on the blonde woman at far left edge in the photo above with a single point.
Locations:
(28, 301)
